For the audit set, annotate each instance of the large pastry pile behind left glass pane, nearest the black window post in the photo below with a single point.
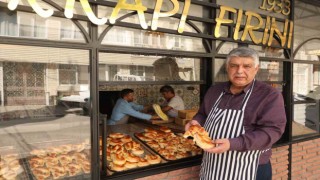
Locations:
(60, 161)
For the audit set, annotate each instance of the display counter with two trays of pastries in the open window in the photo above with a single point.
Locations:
(140, 149)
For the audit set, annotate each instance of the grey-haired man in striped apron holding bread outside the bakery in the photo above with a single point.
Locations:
(243, 118)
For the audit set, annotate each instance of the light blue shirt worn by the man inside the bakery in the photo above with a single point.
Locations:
(123, 108)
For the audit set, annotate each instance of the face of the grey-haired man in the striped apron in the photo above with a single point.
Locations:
(241, 71)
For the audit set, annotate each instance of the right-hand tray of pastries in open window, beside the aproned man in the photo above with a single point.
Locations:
(167, 144)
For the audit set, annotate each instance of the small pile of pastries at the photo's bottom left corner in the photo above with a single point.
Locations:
(9, 166)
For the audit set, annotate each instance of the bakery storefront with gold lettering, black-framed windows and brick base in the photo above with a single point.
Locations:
(64, 62)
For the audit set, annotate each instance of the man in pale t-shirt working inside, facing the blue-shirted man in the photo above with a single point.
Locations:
(173, 102)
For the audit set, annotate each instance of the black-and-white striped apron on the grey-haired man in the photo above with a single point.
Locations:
(233, 165)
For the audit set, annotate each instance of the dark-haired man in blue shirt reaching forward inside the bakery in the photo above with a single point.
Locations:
(126, 108)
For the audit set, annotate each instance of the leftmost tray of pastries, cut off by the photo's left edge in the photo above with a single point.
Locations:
(11, 164)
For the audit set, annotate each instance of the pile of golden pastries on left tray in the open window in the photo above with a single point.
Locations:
(123, 153)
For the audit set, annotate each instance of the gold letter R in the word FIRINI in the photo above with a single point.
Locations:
(249, 28)
